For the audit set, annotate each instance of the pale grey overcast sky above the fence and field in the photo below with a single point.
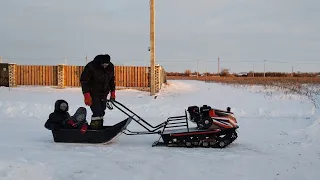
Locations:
(237, 31)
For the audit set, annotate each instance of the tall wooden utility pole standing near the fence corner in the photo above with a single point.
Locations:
(152, 48)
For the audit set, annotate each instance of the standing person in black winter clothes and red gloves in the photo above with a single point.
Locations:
(97, 81)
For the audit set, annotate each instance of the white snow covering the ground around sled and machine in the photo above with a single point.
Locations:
(278, 137)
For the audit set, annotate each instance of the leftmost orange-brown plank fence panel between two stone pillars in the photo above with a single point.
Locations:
(37, 75)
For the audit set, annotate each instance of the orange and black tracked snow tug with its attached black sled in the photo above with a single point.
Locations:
(213, 128)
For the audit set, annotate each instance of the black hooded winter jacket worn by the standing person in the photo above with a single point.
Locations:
(96, 79)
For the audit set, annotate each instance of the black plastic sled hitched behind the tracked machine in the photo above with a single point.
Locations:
(91, 136)
